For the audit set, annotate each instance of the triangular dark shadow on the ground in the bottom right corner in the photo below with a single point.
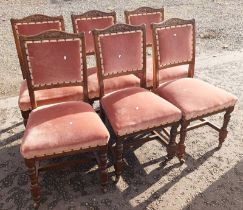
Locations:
(225, 193)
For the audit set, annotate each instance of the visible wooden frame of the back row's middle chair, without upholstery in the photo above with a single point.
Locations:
(92, 14)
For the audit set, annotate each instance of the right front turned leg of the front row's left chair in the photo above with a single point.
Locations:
(103, 168)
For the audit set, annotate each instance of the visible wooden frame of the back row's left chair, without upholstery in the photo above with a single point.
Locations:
(37, 18)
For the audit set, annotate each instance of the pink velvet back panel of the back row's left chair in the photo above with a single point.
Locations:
(36, 28)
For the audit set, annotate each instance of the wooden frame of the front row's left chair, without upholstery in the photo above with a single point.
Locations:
(33, 163)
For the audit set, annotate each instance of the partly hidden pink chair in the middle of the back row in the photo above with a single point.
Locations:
(86, 23)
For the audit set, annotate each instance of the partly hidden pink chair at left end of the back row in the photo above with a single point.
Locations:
(27, 26)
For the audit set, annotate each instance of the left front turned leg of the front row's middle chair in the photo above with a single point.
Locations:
(119, 159)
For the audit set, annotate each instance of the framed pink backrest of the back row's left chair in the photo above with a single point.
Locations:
(33, 25)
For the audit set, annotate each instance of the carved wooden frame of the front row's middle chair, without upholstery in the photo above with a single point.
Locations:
(138, 137)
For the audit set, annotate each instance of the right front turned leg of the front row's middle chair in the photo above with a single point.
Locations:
(172, 146)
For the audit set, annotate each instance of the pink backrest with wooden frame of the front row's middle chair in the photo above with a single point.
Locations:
(120, 50)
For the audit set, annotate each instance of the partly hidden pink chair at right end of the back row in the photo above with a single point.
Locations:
(147, 15)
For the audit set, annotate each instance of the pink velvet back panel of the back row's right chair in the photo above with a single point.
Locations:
(146, 19)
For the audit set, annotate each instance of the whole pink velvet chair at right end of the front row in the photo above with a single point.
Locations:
(174, 45)
